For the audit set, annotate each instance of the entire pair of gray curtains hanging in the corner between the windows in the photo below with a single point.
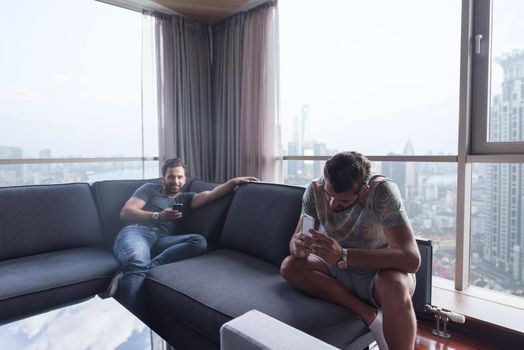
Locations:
(218, 94)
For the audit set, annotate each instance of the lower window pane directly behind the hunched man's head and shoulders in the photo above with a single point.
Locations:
(429, 193)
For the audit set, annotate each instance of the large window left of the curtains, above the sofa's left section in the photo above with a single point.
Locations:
(71, 87)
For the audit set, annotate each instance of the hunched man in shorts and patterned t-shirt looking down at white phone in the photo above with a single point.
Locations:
(367, 258)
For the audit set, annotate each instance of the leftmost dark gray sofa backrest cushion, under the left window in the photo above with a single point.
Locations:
(43, 218)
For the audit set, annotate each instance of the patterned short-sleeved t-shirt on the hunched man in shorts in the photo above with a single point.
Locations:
(361, 225)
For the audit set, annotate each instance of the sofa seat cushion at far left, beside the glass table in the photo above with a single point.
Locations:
(37, 283)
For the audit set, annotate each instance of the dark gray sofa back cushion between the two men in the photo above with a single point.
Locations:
(262, 219)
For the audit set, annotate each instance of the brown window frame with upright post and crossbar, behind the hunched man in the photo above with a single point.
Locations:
(474, 108)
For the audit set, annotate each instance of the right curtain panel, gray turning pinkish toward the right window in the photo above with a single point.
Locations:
(245, 90)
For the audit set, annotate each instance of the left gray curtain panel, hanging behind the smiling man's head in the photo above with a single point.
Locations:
(184, 93)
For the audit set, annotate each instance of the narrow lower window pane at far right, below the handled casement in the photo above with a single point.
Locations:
(496, 227)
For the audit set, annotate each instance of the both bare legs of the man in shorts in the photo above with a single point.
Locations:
(391, 289)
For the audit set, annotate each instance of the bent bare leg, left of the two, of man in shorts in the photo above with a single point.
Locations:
(311, 276)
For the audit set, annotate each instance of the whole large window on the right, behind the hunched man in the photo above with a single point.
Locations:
(433, 92)
